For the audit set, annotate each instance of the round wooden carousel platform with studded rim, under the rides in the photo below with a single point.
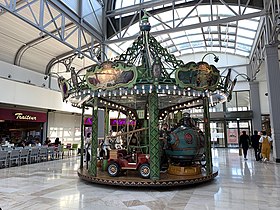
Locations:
(131, 179)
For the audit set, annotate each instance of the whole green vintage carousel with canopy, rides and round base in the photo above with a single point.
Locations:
(164, 146)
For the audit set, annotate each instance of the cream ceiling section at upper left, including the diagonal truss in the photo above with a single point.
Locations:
(35, 34)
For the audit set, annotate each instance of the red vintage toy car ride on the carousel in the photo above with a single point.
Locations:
(120, 161)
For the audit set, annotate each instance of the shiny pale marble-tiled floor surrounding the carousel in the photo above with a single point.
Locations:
(53, 185)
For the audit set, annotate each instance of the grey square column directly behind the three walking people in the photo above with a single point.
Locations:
(256, 106)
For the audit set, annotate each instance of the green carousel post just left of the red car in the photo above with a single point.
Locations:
(94, 139)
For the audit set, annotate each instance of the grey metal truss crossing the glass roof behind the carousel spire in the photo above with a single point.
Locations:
(117, 20)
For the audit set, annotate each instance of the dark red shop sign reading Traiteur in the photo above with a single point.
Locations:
(21, 115)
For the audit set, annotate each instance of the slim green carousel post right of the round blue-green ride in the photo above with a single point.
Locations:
(208, 153)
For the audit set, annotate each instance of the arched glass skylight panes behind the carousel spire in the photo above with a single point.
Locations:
(236, 37)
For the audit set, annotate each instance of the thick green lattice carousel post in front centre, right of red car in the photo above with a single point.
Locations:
(154, 137)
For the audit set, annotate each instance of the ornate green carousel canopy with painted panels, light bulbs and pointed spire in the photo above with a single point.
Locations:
(144, 68)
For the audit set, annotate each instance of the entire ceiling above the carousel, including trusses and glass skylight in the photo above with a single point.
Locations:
(36, 34)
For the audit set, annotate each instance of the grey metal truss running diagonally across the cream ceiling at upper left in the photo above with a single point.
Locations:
(53, 18)
